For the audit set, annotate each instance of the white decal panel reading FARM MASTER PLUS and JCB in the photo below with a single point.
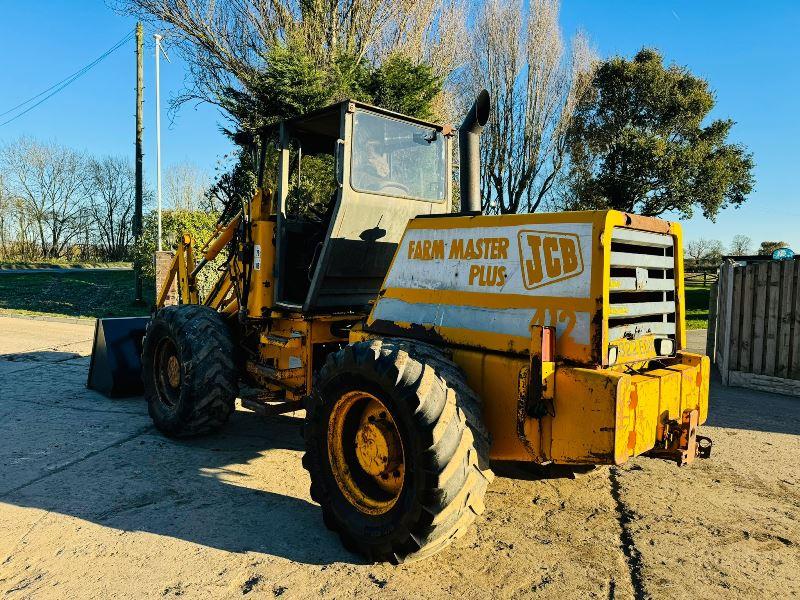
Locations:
(536, 260)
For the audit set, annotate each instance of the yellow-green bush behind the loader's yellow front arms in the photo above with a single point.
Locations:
(174, 223)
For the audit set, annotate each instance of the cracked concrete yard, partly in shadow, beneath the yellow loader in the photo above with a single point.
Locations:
(96, 504)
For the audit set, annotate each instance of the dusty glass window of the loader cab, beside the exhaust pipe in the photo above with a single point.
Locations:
(396, 158)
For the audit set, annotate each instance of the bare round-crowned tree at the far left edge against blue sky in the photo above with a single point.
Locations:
(50, 179)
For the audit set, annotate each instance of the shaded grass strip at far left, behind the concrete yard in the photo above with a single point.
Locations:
(88, 294)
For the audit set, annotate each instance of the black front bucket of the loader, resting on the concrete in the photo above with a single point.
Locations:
(116, 366)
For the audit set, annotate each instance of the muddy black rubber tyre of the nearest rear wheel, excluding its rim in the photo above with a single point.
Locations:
(446, 448)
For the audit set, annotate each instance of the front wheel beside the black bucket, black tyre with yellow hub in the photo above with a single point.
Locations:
(197, 396)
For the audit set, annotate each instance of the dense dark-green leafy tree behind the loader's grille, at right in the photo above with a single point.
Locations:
(638, 143)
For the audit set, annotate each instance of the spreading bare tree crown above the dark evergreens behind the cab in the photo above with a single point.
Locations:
(226, 42)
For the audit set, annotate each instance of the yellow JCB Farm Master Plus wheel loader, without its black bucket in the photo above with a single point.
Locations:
(424, 344)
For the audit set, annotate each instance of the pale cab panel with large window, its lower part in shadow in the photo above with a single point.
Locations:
(378, 195)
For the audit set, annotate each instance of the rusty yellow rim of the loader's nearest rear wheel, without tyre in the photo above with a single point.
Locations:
(366, 452)
